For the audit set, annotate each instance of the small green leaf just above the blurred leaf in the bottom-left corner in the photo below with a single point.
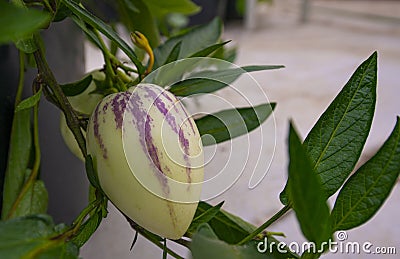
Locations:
(34, 201)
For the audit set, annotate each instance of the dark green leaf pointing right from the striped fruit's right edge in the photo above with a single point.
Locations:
(228, 124)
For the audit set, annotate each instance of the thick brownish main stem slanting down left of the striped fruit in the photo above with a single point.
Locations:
(49, 80)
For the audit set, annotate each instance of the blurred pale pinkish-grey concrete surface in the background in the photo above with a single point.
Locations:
(319, 56)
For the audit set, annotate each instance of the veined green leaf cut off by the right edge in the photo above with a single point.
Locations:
(367, 189)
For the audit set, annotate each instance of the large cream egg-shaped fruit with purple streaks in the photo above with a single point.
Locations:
(171, 214)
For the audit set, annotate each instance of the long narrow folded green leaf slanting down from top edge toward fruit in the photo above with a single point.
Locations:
(105, 29)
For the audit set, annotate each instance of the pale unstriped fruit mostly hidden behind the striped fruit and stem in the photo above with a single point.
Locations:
(84, 103)
